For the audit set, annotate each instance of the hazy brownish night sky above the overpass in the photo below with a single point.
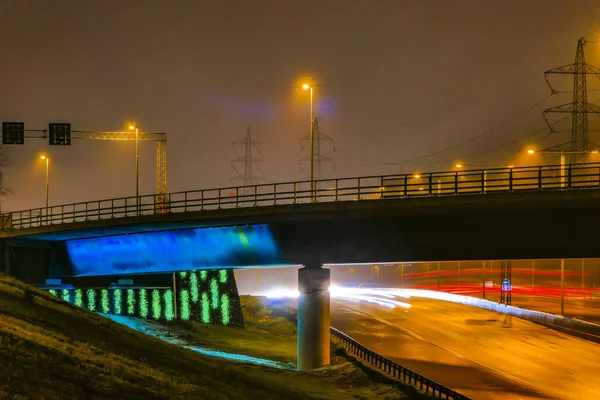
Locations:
(400, 79)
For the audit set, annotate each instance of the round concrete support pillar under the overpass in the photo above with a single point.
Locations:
(313, 318)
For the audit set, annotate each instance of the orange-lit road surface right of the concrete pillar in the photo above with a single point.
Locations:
(479, 353)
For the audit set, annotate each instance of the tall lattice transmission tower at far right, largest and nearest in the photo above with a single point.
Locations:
(579, 109)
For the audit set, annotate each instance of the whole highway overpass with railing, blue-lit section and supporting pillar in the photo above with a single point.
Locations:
(492, 214)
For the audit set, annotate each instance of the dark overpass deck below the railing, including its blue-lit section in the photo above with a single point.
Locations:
(491, 227)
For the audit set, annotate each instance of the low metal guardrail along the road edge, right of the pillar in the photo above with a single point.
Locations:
(425, 385)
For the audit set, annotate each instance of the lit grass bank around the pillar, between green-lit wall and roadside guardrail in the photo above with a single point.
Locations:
(271, 333)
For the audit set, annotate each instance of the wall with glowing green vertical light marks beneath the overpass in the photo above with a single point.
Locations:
(208, 296)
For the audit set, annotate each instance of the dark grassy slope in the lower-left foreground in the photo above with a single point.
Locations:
(53, 350)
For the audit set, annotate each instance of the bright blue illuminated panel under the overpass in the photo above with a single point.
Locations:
(172, 251)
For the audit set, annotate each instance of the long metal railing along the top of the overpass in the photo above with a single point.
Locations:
(434, 184)
